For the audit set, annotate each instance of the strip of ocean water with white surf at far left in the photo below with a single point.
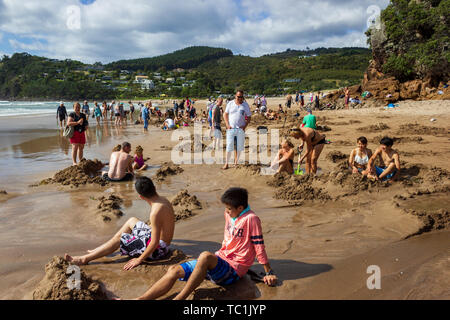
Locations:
(18, 108)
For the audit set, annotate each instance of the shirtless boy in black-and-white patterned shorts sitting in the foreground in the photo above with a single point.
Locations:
(136, 239)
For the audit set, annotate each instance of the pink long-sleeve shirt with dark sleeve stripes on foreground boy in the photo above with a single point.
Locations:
(243, 243)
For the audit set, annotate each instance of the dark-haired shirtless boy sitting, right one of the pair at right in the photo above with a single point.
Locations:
(389, 157)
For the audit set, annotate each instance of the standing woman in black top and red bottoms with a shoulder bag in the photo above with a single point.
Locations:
(79, 121)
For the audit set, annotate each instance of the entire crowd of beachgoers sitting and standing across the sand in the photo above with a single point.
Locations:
(243, 236)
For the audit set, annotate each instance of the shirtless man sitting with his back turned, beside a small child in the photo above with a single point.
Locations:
(120, 165)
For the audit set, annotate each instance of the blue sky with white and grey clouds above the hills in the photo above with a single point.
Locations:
(108, 30)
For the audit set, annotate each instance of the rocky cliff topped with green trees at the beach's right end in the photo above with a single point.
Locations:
(410, 56)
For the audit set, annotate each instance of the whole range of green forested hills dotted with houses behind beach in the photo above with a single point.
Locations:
(194, 71)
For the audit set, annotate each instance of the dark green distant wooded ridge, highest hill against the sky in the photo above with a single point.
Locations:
(187, 58)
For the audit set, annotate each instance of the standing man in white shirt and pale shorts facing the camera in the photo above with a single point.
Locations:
(237, 116)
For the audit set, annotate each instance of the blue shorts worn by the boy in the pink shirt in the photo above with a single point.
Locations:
(222, 274)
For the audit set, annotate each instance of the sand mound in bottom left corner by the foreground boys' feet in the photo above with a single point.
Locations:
(54, 286)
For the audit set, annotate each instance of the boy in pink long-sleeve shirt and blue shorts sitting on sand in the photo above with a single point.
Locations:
(243, 241)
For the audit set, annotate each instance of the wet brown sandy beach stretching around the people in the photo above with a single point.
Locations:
(321, 234)
